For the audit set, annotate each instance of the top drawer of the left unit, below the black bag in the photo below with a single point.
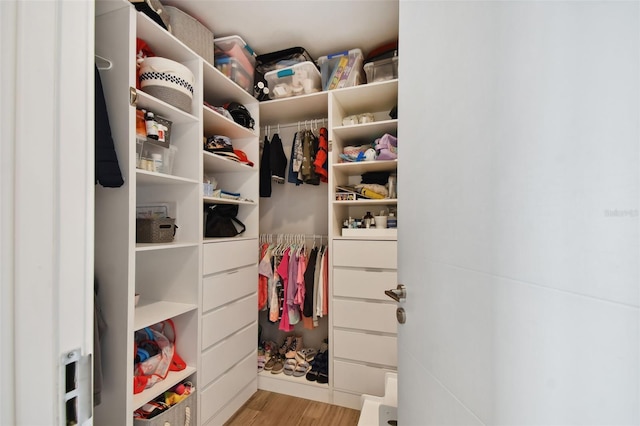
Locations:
(227, 255)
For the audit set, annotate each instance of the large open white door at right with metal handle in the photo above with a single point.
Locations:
(519, 215)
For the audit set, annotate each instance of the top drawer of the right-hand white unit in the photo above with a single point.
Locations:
(365, 254)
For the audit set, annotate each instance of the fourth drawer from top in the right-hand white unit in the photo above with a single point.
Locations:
(365, 347)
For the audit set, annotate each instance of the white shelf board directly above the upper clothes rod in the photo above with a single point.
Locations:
(297, 108)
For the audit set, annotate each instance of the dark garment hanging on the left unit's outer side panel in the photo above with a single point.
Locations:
(107, 170)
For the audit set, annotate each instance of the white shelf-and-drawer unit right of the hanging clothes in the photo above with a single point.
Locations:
(362, 341)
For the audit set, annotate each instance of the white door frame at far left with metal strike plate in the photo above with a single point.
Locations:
(46, 304)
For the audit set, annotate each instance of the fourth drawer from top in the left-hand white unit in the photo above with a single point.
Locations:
(222, 356)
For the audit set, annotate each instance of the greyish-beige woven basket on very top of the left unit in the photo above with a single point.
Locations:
(191, 32)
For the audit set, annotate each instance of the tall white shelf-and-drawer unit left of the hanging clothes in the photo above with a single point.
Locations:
(184, 280)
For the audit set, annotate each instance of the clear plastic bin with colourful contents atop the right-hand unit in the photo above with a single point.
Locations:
(342, 69)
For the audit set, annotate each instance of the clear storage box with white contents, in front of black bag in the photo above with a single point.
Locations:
(298, 79)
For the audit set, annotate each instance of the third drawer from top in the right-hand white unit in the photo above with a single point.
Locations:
(372, 316)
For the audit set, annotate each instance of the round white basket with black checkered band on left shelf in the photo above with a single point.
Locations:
(167, 80)
